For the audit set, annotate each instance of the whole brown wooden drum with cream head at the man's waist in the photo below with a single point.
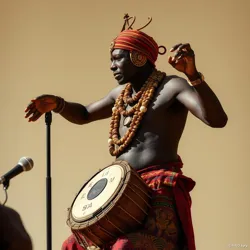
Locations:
(113, 202)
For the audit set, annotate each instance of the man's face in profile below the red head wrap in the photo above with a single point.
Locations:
(122, 67)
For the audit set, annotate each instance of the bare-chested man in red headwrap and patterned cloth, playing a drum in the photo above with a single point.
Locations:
(148, 113)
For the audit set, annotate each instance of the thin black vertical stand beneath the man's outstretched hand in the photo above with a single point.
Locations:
(48, 120)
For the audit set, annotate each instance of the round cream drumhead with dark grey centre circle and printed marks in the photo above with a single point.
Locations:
(97, 193)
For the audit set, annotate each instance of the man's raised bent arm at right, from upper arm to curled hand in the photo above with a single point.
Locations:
(197, 96)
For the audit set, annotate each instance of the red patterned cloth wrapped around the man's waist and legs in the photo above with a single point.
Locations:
(169, 224)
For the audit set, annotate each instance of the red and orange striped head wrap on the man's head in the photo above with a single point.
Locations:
(138, 41)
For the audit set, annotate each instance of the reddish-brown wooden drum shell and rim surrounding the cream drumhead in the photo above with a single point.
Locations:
(125, 213)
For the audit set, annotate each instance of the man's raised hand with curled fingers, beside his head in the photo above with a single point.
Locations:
(184, 60)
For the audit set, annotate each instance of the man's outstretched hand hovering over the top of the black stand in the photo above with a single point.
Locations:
(39, 106)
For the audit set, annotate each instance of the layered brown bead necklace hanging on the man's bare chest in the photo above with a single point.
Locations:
(135, 114)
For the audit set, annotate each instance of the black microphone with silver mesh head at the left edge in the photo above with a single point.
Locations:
(24, 164)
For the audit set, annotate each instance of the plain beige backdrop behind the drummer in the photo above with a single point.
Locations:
(62, 47)
